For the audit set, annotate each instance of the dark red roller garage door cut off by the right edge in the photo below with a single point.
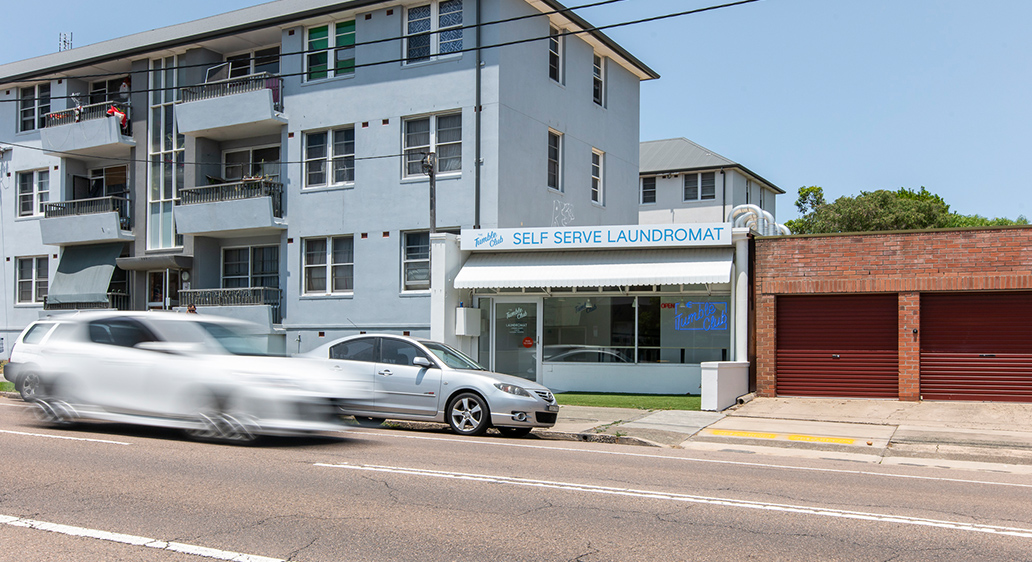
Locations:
(977, 347)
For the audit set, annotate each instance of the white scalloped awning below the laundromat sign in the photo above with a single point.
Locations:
(602, 269)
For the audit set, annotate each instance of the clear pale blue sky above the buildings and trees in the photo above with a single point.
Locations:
(849, 95)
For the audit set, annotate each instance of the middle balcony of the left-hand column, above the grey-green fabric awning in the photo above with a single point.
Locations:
(87, 222)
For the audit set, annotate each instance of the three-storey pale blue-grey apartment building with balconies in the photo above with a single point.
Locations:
(272, 163)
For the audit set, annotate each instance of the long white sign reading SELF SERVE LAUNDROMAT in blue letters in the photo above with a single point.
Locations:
(689, 236)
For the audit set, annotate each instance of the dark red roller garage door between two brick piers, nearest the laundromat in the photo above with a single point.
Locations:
(838, 346)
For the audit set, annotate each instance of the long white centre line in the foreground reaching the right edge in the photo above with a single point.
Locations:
(727, 503)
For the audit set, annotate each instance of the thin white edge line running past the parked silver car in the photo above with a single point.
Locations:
(703, 461)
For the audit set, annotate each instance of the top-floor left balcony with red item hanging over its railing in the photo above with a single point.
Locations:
(89, 131)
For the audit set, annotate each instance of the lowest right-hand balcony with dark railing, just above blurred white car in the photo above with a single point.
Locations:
(259, 305)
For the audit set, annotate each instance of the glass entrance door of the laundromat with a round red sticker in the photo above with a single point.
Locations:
(517, 327)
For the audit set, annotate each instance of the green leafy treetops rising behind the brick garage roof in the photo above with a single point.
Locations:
(883, 210)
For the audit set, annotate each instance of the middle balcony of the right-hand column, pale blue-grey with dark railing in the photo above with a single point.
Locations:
(236, 209)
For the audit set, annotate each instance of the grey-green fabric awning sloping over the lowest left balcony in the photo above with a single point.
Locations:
(84, 274)
